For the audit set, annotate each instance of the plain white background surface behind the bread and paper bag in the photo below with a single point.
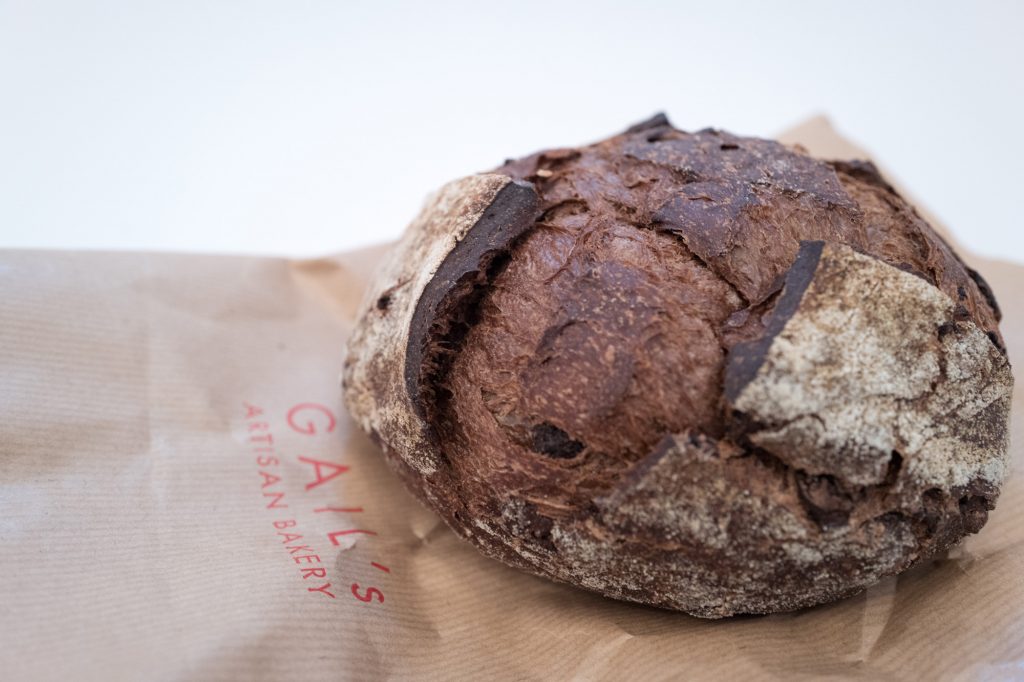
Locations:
(304, 129)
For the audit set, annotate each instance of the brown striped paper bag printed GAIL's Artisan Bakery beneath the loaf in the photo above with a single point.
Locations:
(183, 497)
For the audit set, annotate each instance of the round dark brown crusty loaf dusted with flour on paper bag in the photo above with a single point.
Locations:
(698, 371)
